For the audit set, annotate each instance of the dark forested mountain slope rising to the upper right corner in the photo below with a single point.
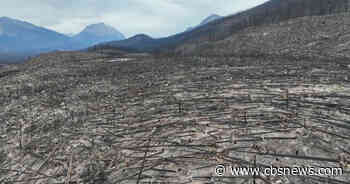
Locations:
(272, 11)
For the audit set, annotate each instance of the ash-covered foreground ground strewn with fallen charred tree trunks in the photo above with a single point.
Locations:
(73, 117)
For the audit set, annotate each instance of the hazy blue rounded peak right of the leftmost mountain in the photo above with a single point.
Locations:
(98, 33)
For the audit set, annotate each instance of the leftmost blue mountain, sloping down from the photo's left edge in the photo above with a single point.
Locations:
(22, 37)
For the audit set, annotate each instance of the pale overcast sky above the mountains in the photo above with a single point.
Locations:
(156, 18)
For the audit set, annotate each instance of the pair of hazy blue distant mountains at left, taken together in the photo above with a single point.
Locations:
(19, 39)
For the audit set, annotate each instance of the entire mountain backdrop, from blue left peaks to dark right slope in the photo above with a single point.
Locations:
(22, 38)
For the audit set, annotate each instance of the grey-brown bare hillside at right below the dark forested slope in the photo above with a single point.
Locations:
(317, 36)
